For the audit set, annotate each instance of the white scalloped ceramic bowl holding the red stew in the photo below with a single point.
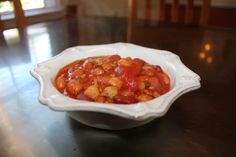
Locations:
(114, 116)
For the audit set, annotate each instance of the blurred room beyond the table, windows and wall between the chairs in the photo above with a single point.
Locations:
(222, 12)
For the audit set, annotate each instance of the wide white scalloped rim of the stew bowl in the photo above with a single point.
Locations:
(183, 80)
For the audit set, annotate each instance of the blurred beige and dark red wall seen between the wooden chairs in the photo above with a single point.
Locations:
(222, 13)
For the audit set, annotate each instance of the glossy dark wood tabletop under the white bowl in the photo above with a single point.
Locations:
(201, 123)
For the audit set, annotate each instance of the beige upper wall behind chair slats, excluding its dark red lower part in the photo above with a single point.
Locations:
(120, 7)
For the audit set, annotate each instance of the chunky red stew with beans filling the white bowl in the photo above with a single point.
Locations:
(112, 79)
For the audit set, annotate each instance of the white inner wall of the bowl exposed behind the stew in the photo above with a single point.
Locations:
(152, 58)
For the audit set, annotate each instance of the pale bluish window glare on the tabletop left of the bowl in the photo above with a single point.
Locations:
(20, 51)
